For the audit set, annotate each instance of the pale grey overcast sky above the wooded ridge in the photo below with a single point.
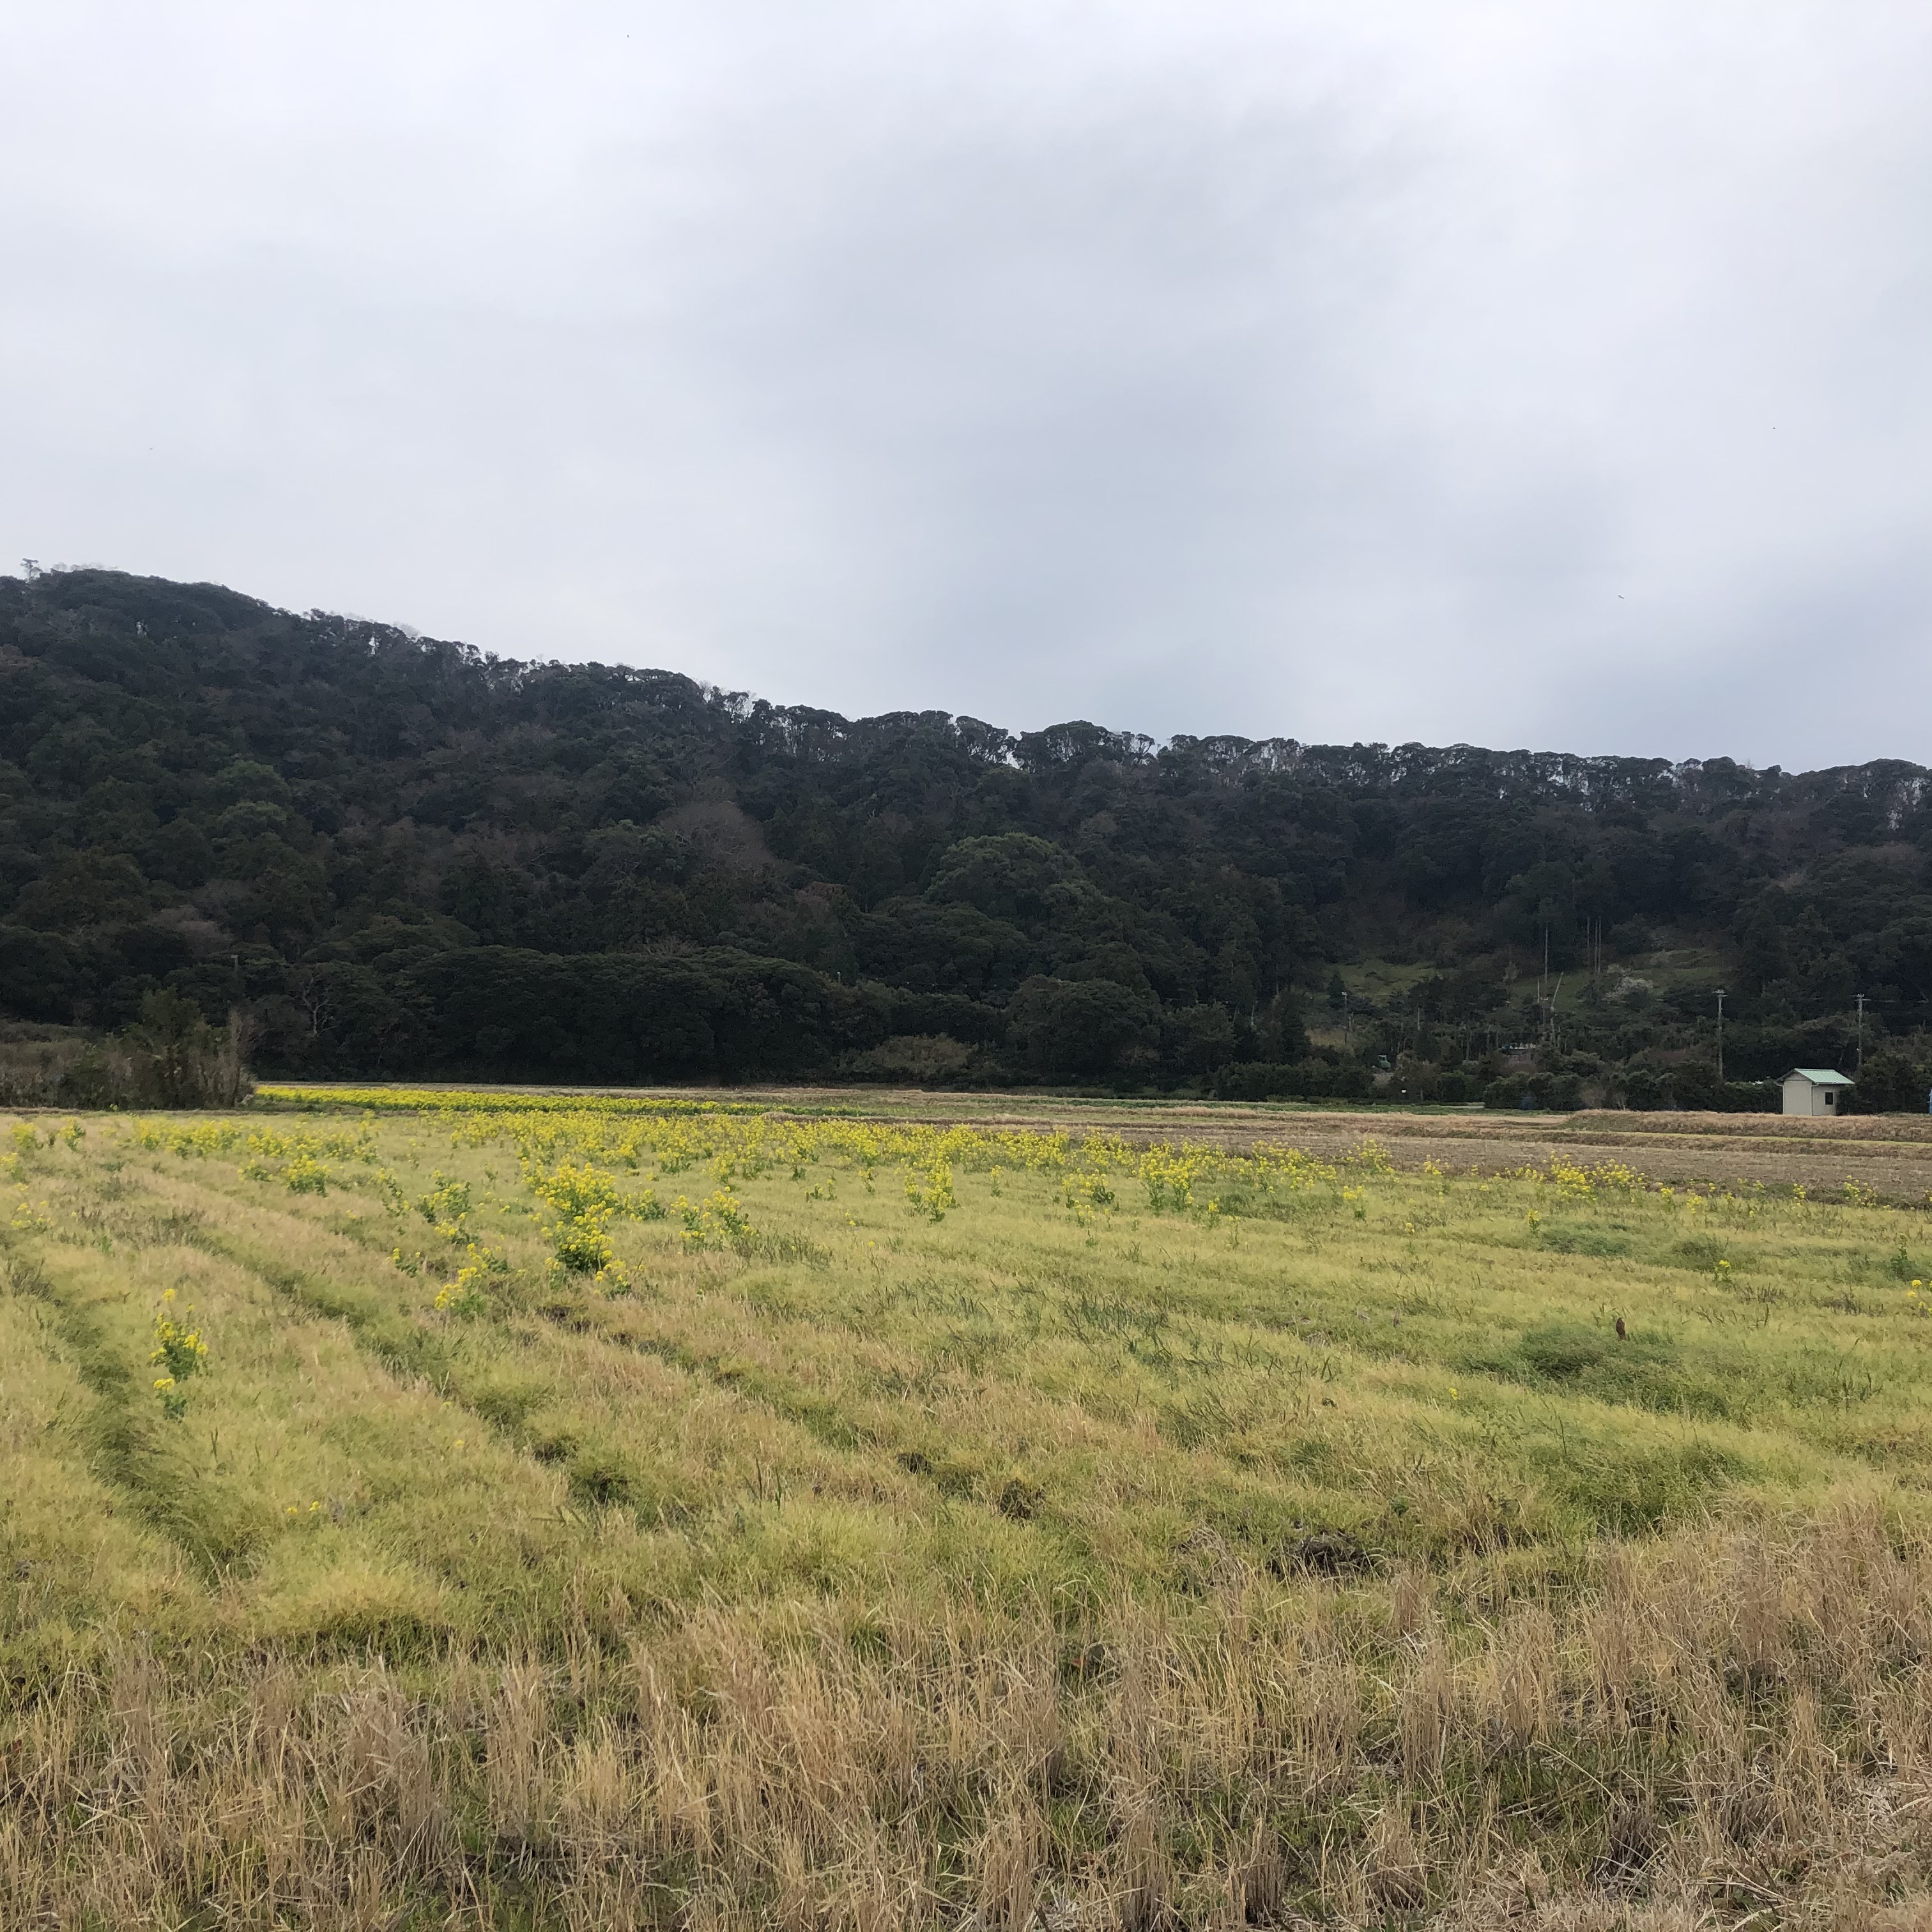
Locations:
(1533, 376)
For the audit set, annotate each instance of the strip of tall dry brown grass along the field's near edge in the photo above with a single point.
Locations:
(1705, 1730)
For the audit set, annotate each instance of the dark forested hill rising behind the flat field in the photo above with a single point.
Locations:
(405, 857)
